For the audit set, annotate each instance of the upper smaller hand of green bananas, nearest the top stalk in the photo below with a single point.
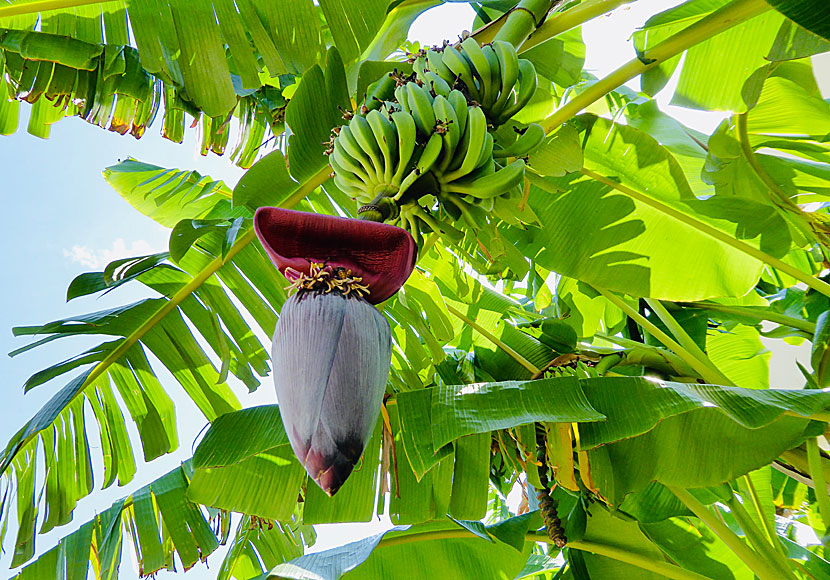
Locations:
(491, 75)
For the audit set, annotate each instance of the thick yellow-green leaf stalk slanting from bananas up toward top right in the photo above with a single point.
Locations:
(722, 19)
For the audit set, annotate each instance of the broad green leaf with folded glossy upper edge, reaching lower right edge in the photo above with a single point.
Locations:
(665, 419)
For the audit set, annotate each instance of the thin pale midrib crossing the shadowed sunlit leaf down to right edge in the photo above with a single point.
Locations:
(811, 281)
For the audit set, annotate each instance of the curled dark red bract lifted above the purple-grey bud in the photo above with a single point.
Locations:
(382, 255)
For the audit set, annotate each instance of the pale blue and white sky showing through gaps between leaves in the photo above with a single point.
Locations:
(63, 219)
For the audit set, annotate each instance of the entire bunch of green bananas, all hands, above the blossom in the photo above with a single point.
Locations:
(423, 154)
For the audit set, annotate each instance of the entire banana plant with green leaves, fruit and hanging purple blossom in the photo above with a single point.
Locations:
(582, 327)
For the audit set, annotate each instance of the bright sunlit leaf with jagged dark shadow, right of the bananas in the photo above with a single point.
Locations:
(596, 232)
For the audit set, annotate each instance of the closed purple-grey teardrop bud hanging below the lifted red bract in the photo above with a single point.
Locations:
(331, 356)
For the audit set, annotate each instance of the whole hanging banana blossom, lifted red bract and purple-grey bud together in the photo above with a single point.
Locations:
(332, 349)
